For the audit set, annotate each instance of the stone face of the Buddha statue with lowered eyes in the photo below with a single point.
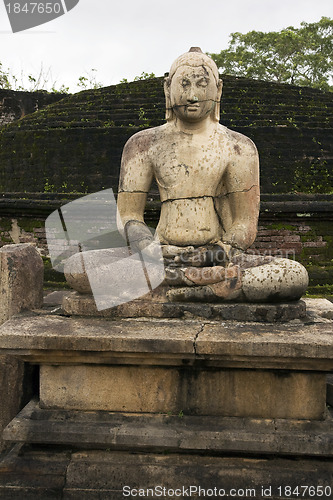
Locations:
(193, 93)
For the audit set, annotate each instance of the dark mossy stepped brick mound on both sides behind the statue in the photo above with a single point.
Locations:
(75, 145)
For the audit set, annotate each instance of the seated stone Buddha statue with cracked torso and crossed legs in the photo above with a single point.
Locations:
(208, 181)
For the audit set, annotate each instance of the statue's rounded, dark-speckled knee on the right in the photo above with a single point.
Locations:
(281, 279)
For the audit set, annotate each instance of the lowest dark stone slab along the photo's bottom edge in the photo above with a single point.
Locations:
(34, 473)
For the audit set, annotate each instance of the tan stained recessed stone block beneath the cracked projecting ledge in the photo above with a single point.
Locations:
(163, 389)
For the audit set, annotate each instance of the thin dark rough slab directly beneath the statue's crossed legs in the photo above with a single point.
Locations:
(84, 305)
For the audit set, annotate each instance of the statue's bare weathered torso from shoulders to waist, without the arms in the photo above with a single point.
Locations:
(190, 176)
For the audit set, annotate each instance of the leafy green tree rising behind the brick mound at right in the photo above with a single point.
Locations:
(299, 56)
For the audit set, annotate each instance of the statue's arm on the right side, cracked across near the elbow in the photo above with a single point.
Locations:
(242, 198)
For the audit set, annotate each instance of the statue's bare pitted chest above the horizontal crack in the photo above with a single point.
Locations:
(188, 162)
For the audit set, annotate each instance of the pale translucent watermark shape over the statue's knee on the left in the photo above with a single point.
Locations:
(83, 237)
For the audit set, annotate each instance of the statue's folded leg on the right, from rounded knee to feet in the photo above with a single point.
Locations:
(276, 280)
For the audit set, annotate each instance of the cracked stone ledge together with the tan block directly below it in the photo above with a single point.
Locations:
(195, 368)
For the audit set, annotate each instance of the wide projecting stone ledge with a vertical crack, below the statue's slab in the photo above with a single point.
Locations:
(57, 339)
